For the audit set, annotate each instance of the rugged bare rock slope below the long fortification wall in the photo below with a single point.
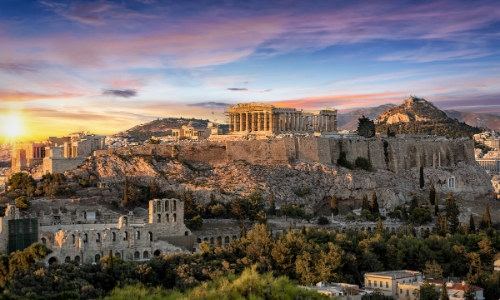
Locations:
(304, 181)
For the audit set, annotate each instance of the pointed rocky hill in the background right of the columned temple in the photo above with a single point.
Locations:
(419, 116)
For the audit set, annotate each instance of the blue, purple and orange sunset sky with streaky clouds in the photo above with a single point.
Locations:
(105, 66)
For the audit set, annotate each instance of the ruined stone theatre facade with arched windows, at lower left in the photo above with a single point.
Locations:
(164, 233)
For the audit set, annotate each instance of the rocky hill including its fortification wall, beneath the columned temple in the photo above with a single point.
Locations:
(226, 170)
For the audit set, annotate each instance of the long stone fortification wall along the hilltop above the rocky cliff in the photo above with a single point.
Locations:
(388, 154)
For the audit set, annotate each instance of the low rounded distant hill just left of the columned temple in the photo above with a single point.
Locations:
(161, 127)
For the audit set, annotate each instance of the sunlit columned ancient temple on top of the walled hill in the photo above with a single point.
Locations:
(265, 119)
